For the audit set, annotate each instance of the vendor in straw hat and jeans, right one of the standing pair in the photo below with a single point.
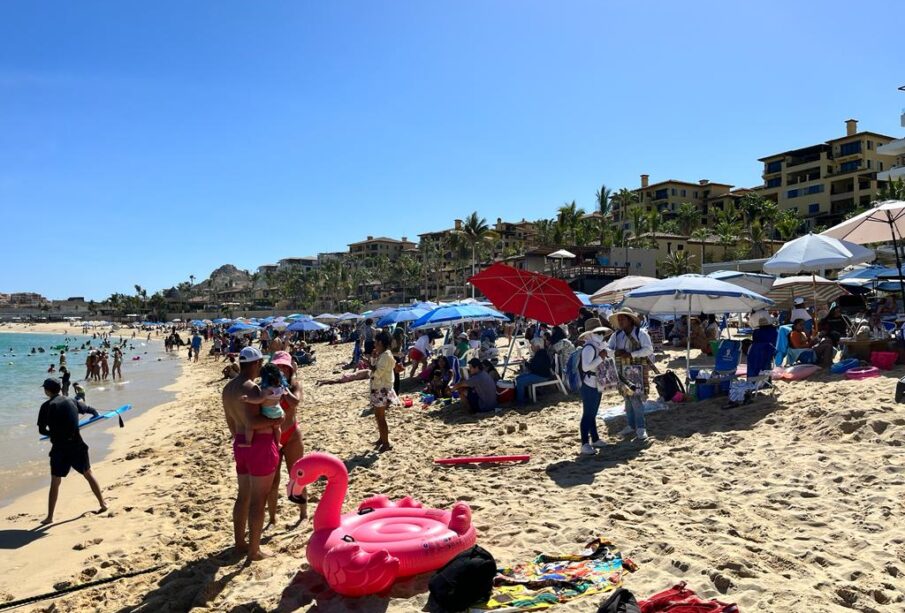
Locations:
(632, 348)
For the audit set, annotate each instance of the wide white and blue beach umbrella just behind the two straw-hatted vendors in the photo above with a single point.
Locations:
(692, 295)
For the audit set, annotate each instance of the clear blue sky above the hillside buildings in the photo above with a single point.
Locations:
(141, 142)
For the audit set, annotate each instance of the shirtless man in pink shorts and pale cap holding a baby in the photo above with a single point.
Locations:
(255, 463)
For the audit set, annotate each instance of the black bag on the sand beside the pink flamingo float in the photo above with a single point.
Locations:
(465, 580)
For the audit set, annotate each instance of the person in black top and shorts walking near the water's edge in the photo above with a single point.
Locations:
(59, 419)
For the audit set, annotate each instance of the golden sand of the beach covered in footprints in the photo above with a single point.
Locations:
(791, 504)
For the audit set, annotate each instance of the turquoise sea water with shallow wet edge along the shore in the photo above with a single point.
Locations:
(24, 463)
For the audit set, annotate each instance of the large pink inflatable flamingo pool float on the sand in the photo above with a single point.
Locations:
(366, 551)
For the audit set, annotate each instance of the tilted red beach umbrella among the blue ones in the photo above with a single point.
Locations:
(528, 294)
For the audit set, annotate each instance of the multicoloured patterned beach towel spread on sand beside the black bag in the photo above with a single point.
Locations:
(549, 580)
